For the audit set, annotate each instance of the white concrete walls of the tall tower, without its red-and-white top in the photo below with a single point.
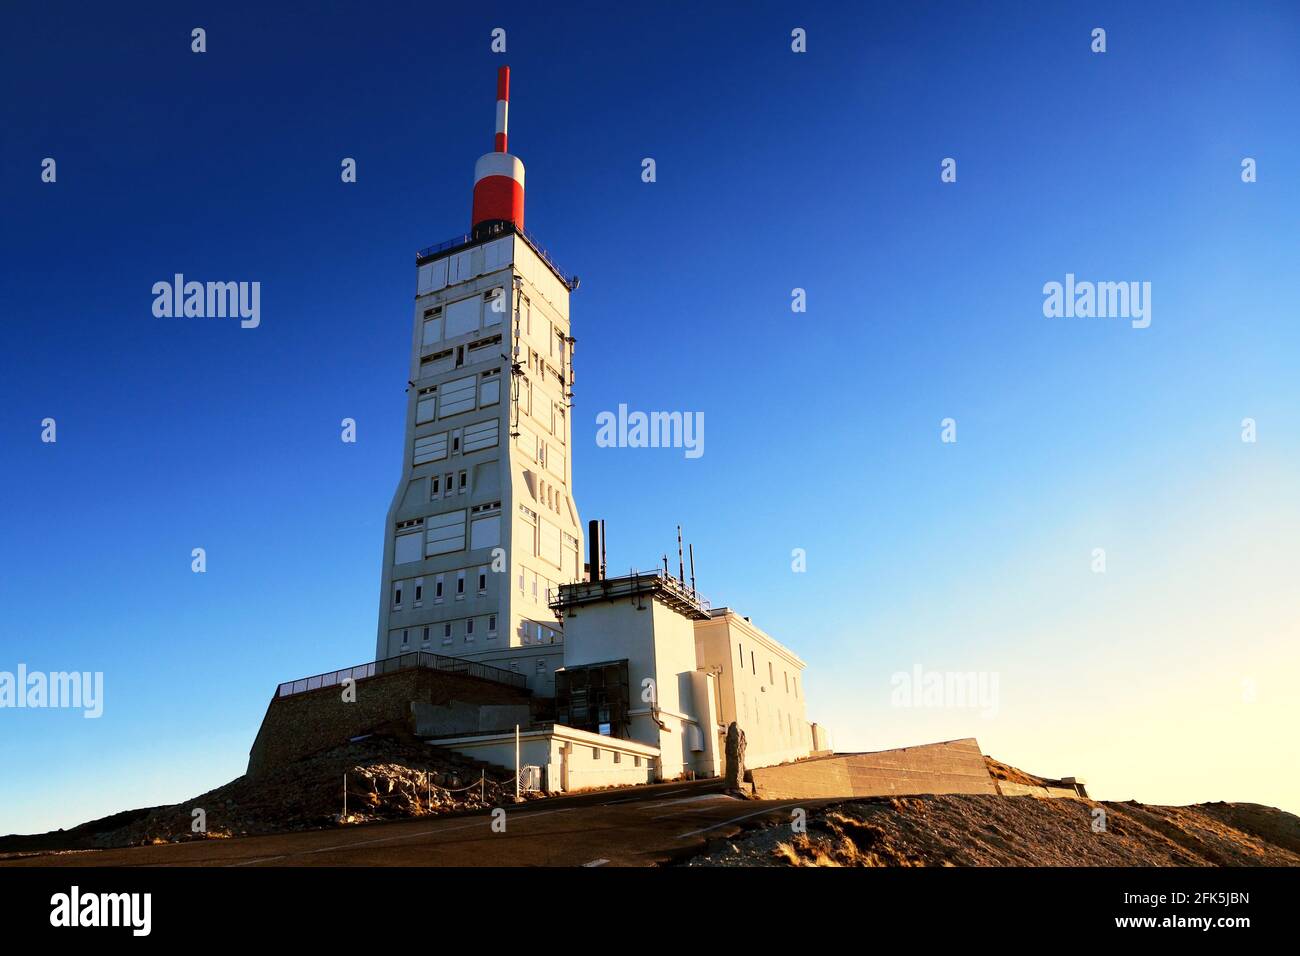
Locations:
(508, 471)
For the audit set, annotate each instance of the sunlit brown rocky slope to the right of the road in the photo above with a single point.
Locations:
(985, 830)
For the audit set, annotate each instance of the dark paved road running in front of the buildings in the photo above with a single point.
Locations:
(644, 828)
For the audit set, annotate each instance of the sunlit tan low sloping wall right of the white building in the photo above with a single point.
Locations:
(954, 767)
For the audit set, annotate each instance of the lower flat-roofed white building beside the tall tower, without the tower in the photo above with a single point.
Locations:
(652, 681)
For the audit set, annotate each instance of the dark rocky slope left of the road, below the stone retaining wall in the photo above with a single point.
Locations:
(388, 778)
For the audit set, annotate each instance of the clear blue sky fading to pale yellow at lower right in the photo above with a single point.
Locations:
(1169, 678)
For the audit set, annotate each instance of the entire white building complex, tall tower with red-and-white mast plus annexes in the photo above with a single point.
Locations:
(483, 555)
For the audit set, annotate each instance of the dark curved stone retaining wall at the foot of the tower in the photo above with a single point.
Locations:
(317, 721)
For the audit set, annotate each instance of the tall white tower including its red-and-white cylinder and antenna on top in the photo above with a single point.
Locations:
(483, 524)
